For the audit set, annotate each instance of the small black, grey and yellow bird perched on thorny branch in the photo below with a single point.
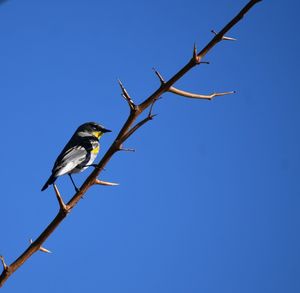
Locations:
(79, 153)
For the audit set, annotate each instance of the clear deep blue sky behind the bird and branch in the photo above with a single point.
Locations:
(209, 202)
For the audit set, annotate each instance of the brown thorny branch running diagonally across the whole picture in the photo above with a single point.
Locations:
(126, 131)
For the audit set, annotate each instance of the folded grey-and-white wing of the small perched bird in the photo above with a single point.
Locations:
(69, 159)
